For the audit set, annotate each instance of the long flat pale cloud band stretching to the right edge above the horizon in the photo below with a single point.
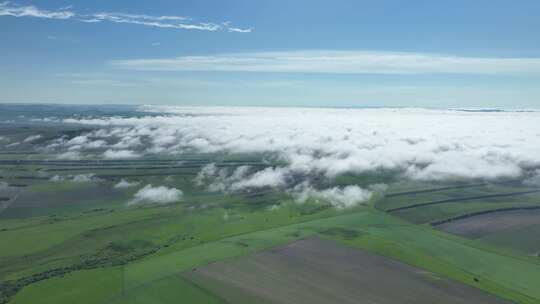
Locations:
(346, 62)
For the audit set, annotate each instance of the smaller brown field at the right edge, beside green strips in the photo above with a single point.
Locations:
(490, 223)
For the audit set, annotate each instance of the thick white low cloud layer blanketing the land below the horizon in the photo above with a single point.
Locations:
(301, 144)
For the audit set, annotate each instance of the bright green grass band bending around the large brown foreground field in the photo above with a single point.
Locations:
(456, 258)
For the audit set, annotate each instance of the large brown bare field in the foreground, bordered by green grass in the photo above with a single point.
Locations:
(316, 271)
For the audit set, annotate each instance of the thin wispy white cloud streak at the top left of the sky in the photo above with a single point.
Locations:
(166, 21)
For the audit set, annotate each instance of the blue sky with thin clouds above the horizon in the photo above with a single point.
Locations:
(284, 53)
